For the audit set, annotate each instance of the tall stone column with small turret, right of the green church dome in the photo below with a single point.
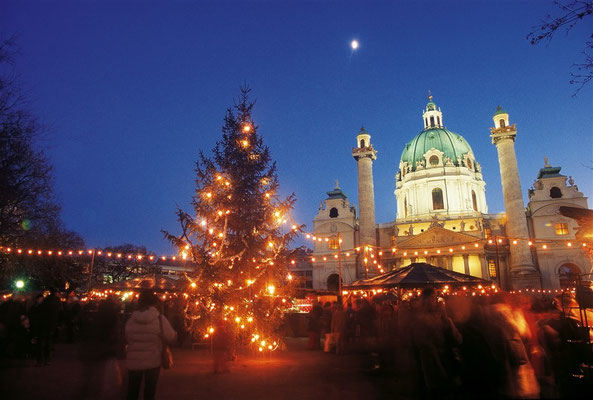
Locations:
(523, 271)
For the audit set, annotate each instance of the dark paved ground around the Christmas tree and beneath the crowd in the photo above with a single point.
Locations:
(292, 374)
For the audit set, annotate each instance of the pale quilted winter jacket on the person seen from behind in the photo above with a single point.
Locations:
(143, 338)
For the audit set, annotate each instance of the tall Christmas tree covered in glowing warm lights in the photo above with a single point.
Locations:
(238, 237)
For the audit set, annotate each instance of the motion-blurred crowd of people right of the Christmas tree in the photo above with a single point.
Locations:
(500, 346)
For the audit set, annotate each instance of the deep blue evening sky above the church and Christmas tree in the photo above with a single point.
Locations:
(131, 91)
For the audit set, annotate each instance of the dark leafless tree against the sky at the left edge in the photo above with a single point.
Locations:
(26, 183)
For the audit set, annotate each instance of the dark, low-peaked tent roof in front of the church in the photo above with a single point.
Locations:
(416, 275)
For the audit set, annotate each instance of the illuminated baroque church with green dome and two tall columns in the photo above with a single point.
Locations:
(442, 216)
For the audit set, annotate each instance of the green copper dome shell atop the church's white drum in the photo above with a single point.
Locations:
(450, 143)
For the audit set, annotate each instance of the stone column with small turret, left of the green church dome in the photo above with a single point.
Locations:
(364, 154)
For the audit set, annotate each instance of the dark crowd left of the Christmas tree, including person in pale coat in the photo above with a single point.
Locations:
(104, 330)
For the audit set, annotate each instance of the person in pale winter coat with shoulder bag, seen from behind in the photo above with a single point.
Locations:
(145, 345)
